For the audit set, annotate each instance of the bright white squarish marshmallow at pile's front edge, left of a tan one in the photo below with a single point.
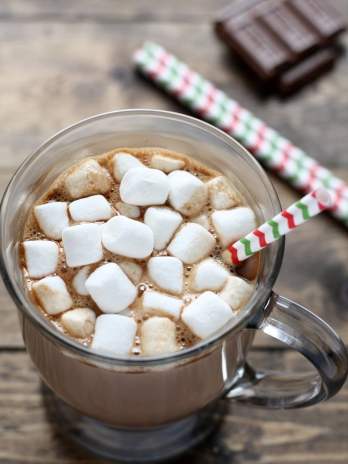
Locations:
(114, 335)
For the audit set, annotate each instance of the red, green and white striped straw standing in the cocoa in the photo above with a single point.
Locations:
(283, 223)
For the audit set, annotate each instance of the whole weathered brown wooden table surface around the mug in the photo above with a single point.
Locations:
(63, 61)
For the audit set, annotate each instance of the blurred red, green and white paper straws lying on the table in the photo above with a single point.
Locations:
(269, 147)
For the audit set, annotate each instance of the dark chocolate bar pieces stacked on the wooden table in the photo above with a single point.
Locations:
(286, 43)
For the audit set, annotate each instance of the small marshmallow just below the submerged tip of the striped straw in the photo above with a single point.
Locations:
(208, 275)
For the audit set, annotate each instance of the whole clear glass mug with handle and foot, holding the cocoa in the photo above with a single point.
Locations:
(146, 409)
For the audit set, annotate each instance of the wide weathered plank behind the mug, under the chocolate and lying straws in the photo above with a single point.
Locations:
(55, 74)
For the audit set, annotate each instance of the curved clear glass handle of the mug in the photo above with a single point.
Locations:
(297, 328)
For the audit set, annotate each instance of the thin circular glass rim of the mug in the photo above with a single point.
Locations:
(259, 297)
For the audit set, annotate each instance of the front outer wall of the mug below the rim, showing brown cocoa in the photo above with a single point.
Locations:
(137, 397)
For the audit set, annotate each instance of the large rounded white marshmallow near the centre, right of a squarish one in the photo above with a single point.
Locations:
(127, 237)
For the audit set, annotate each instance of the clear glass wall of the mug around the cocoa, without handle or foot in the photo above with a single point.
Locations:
(148, 395)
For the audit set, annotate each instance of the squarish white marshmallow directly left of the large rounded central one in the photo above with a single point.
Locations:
(82, 244)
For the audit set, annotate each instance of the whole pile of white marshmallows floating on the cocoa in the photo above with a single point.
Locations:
(90, 224)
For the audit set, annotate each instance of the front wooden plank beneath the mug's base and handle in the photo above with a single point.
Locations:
(247, 435)
